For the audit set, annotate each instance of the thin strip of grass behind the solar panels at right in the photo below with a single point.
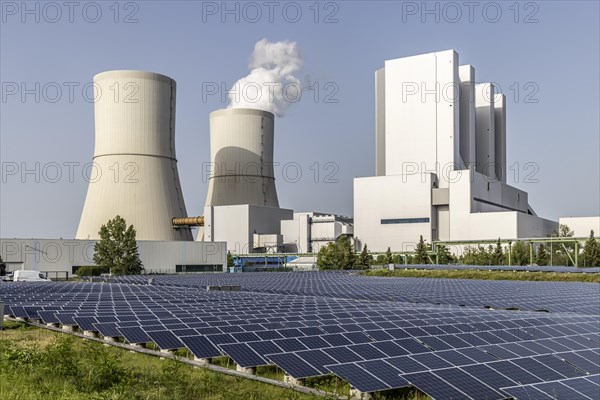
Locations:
(493, 275)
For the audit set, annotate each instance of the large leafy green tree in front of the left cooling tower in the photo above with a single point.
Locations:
(117, 248)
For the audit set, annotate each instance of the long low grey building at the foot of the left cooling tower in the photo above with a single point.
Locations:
(51, 255)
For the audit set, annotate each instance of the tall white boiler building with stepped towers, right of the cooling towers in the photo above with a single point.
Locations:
(440, 160)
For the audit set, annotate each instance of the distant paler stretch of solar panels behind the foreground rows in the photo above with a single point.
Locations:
(522, 295)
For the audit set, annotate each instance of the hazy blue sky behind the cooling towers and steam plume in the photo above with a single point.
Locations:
(544, 56)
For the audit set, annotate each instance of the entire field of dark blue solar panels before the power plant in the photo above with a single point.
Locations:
(375, 333)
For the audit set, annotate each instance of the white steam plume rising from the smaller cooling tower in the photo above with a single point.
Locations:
(272, 84)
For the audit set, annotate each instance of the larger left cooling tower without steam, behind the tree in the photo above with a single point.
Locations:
(134, 171)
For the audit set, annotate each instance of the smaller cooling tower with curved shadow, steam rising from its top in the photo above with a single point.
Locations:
(241, 150)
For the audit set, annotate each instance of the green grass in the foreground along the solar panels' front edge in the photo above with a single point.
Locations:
(41, 364)
